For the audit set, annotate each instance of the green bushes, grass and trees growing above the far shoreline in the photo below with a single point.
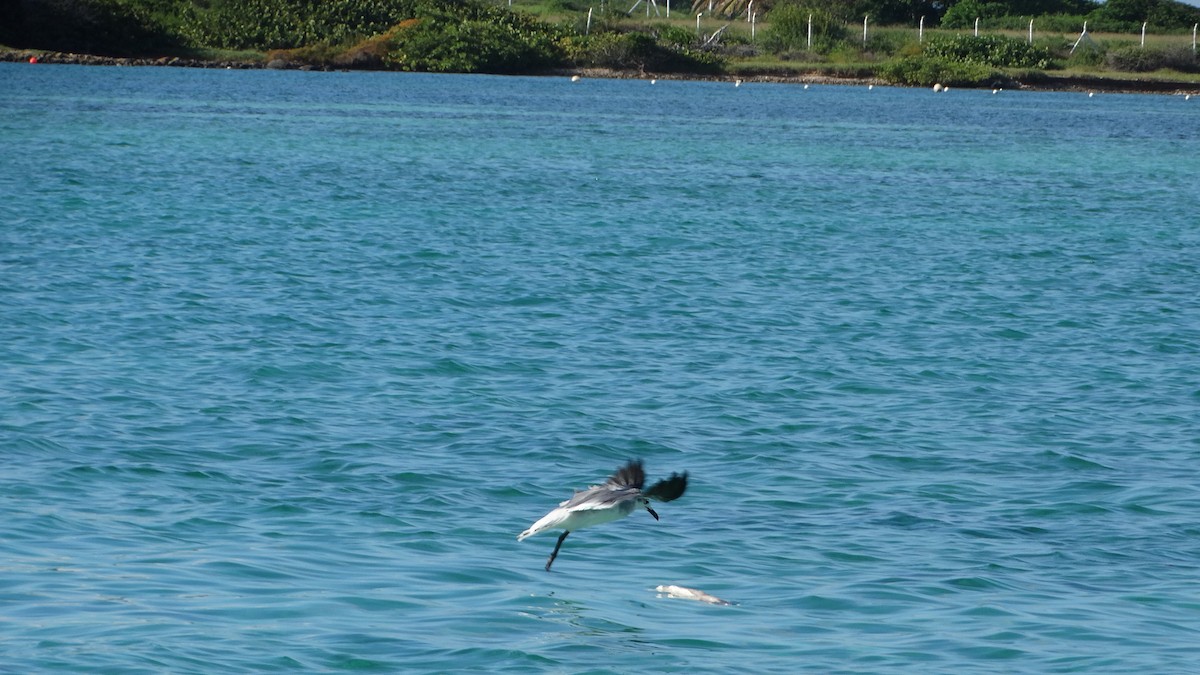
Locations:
(789, 38)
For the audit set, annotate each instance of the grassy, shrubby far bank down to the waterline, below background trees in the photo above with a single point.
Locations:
(543, 37)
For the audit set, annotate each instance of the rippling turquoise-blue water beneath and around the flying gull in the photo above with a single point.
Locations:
(289, 360)
